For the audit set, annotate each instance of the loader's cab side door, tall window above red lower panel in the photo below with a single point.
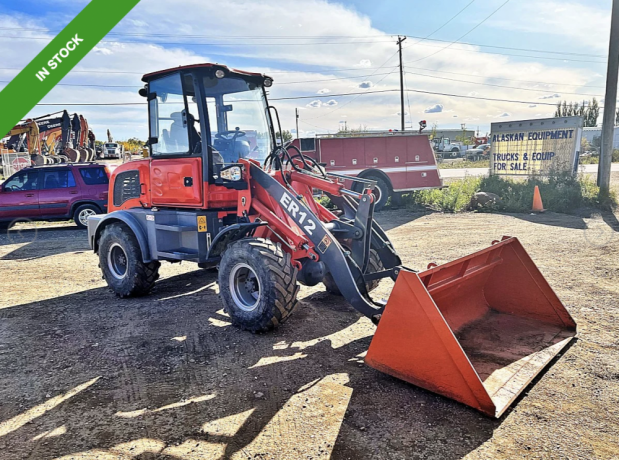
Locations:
(176, 147)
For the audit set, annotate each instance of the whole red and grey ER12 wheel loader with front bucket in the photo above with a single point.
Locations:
(218, 190)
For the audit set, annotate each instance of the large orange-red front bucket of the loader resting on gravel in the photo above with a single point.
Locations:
(476, 330)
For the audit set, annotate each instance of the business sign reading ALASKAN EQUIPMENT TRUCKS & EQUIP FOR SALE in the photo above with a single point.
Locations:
(535, 147)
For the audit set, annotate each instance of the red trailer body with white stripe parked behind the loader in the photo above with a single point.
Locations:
(397, 161)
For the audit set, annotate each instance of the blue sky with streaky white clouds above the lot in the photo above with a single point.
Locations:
(465, 61)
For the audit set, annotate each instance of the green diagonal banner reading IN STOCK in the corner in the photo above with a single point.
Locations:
(56, 60)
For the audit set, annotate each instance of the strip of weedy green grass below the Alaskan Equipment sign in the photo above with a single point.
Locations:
(560, 193)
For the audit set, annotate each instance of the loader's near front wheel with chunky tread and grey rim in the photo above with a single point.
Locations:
(257, 284)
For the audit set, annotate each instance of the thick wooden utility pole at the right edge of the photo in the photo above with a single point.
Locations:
(610, 102)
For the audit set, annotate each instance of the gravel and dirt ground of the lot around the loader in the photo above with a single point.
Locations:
(84, 375)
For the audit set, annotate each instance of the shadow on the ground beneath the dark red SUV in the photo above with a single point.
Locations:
(43, 242)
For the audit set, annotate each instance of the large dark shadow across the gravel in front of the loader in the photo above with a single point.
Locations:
(166, 375)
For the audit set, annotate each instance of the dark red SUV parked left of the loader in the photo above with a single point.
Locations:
(58, 192)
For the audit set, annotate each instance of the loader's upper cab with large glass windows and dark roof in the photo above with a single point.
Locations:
(209, 111)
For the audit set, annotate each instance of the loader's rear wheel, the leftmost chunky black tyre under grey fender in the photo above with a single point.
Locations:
(120, 260)
